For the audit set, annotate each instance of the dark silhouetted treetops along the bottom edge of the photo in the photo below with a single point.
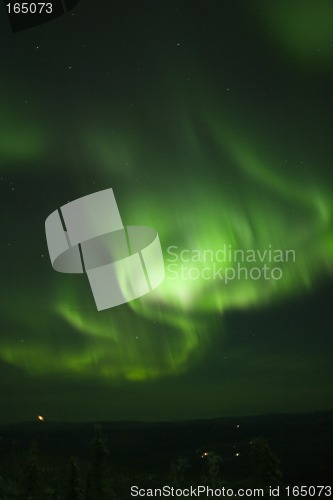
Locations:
(33, 477)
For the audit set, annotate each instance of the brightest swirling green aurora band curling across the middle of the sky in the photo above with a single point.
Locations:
(165, 331)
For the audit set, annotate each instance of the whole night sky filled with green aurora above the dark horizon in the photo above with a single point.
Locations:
(212, 122)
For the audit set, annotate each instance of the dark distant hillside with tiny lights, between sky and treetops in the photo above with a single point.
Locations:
(141, 451)
